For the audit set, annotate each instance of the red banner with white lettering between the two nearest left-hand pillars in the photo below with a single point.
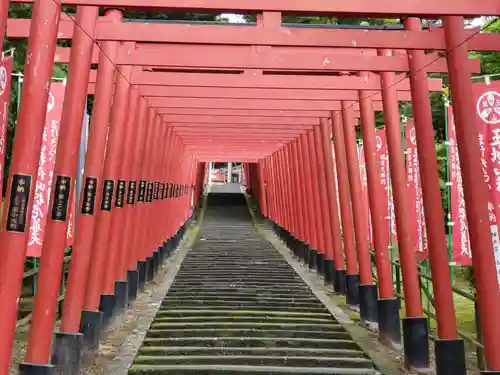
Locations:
(46, 166)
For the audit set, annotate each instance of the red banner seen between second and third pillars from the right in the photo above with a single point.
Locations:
(415, 190)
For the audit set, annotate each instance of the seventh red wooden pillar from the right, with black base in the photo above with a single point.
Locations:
(333, 209)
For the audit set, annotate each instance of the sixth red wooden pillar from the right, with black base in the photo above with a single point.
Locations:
(352, 276)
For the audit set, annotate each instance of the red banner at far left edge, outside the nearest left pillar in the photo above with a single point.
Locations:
(5, 85)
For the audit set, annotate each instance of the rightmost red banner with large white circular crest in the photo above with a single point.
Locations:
(487, 97)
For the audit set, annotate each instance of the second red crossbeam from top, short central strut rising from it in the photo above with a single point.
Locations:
(236, 35)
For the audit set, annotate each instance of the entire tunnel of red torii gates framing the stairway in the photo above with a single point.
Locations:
(169, 98)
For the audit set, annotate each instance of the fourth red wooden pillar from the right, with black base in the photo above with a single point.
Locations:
(388, 306)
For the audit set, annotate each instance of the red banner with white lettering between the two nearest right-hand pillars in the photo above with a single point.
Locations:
(461, 253)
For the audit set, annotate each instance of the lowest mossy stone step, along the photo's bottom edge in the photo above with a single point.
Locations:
(243, 370)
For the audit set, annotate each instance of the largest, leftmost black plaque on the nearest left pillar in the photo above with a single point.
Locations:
(18, 205)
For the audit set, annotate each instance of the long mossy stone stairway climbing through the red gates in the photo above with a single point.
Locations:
(237, 307)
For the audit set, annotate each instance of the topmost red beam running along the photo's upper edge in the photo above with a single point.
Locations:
(308, 7)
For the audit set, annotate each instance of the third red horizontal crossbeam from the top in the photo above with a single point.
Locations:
(267, 58)
